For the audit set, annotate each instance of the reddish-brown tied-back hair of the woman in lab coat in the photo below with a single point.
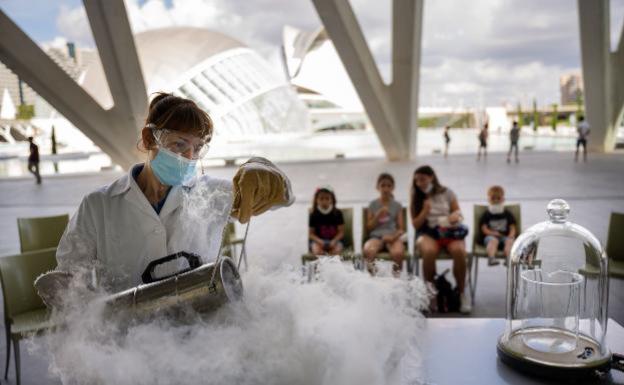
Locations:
(178, 114)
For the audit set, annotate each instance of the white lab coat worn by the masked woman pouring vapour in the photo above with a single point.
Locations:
(117, 232)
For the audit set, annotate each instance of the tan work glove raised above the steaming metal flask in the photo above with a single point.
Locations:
(258, 186)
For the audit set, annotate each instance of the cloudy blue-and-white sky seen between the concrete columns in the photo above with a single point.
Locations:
(474, 53)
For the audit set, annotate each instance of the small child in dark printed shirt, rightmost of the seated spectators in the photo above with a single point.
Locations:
(497, 225)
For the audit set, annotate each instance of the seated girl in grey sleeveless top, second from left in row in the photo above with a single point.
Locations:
(386, 225)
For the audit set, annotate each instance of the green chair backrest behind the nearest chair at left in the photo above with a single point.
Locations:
(42, 232)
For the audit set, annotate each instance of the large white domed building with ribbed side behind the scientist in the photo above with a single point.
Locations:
(240, 90)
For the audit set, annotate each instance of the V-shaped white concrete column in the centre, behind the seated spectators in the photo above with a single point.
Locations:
(392, 109)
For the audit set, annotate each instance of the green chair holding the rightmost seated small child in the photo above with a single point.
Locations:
(478, 250)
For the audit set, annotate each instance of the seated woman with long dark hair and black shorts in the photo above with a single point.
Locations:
(437, 218)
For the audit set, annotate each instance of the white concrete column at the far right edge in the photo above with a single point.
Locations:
(603, 74)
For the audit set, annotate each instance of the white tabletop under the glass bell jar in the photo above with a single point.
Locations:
(463, 351)
